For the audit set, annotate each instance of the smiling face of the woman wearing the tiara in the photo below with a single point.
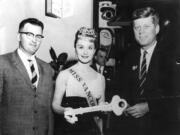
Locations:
(85, 50)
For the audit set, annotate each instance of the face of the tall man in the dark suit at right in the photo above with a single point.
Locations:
(145, 31)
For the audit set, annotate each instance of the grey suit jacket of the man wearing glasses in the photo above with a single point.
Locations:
(23, 110)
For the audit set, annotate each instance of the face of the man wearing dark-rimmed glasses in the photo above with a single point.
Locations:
(26, 44)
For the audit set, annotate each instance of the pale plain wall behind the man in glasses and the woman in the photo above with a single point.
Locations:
(59, 33)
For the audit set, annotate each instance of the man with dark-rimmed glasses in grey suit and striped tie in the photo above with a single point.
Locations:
(26, 86)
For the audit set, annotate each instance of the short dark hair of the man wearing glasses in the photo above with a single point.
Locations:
(33, 21)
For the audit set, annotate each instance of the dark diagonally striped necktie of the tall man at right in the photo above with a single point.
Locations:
(142, 74)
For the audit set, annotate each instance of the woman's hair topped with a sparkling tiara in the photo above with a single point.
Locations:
(87, 33)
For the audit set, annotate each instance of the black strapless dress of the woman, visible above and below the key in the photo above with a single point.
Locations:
(85, 124)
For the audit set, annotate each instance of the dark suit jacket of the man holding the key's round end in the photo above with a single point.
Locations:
(157, 92)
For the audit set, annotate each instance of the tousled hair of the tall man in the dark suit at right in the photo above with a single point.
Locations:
(146, 12)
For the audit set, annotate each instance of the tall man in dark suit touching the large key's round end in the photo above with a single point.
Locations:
(147, 80)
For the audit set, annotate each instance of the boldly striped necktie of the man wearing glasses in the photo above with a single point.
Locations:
(34, 74)
